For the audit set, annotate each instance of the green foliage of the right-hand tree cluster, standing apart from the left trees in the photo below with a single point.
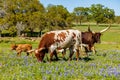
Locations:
(96, 12)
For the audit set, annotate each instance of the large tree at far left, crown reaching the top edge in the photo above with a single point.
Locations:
(20, 11)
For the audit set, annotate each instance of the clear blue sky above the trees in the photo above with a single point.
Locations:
(71, 4)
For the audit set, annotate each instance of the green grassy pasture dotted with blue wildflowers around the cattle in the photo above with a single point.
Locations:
(103, 66)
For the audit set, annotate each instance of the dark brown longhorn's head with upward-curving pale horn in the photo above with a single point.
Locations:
(96, 35)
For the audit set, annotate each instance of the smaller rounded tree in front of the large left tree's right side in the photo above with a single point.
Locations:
(37, 20)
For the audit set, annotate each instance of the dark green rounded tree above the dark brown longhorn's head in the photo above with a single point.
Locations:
(101, 14)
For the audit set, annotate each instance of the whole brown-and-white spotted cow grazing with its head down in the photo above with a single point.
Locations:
(53, 40)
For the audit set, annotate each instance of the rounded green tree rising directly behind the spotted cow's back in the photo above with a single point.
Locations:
(58, 16)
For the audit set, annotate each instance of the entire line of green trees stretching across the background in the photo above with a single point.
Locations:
(18, 16)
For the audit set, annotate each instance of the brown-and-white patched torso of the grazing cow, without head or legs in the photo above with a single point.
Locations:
(59, 39)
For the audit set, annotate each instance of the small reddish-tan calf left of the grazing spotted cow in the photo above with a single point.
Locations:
(21, 48)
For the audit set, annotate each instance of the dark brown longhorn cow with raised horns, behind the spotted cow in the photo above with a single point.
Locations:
(90, 38)
